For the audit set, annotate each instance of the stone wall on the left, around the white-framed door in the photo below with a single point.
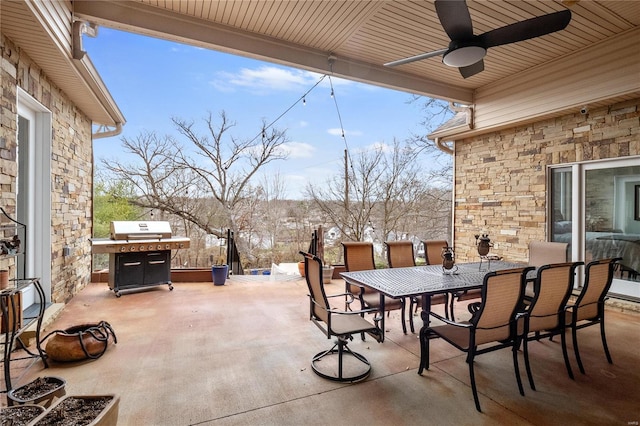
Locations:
(71, 169)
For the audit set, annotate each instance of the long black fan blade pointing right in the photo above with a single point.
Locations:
(524, 30)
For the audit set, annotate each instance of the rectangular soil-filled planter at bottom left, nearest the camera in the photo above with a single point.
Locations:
(84, 409)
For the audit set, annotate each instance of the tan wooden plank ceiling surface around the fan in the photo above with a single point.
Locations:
(376, 32)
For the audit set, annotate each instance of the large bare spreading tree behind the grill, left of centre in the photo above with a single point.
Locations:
(204, 180)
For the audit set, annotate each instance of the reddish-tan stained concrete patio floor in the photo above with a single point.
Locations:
(240, 354)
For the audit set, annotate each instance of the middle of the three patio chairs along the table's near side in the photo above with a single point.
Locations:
(544, 316)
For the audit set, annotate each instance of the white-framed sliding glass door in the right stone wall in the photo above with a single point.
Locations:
(595, 208)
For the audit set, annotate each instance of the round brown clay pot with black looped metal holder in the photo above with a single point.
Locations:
(80, 342)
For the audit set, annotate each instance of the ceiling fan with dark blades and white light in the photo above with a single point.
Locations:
(466, 50)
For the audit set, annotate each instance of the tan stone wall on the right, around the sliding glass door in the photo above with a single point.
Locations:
(501, 177)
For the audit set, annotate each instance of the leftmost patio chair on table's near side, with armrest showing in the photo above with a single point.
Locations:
(492, 327)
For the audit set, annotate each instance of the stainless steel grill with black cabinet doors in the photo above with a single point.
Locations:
(139, 253)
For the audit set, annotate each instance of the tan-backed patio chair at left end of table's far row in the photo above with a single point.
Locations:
(358, 256)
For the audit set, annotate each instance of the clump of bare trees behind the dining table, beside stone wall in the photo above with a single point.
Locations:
(392, 194)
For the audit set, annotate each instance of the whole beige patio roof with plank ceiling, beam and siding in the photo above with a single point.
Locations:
(593, 61)
